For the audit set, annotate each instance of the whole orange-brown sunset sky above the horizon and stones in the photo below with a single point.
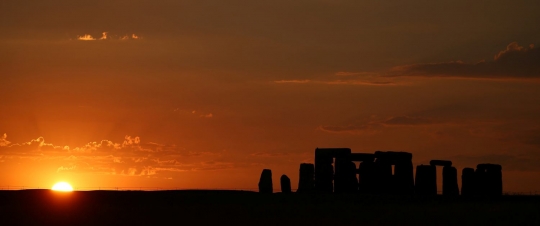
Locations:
(205, 94)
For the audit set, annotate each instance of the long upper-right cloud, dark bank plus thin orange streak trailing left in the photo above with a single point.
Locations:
(514, 62)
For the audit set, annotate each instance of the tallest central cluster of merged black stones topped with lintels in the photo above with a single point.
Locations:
(381, 172)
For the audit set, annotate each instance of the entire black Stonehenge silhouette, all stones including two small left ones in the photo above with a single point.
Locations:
(338, 170)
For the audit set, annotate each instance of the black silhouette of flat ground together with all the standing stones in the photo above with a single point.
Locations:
(329, 193)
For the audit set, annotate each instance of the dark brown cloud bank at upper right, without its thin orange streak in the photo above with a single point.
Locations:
(514, 62)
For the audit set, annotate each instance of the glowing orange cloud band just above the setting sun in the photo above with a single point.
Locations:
(131, 157)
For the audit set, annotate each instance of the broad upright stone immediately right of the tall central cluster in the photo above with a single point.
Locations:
(426, 180)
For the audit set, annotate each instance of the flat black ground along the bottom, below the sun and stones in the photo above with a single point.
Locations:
(45, 207)
